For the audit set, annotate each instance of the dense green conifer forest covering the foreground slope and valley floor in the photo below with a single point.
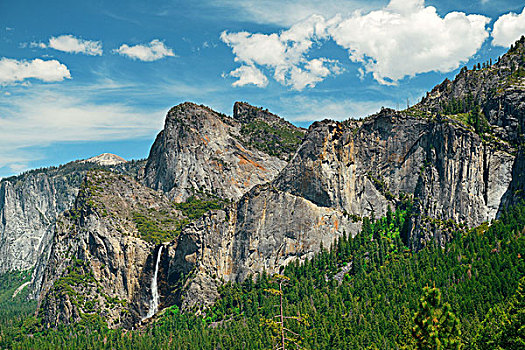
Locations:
(365, 292)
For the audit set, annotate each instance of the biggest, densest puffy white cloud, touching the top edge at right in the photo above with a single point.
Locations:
(407, 38)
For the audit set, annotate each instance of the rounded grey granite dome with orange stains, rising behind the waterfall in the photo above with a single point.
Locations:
(203, 153)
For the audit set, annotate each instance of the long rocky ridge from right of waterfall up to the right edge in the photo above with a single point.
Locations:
(453, 173)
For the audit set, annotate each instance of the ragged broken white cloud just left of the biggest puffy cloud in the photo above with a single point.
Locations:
(284, 54)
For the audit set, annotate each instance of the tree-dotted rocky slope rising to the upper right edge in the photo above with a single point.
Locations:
(488, 97)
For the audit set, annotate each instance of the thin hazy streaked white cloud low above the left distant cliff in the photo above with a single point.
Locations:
(65, 116)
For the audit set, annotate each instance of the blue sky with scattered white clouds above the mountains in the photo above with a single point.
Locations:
(79, 78)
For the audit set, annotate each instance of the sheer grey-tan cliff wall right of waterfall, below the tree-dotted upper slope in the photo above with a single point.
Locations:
(344, 171)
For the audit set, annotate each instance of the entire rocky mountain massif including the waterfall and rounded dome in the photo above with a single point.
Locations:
(221, 199)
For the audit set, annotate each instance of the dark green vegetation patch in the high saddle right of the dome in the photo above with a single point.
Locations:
(275, 140)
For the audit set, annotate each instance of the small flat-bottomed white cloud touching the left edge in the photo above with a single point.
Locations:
(12, 71)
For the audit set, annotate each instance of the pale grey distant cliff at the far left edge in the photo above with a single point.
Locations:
(29, 206)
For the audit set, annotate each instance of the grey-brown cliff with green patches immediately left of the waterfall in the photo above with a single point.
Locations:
(104, 252)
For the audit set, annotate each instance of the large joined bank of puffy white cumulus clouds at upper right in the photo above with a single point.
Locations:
(402, 39)
